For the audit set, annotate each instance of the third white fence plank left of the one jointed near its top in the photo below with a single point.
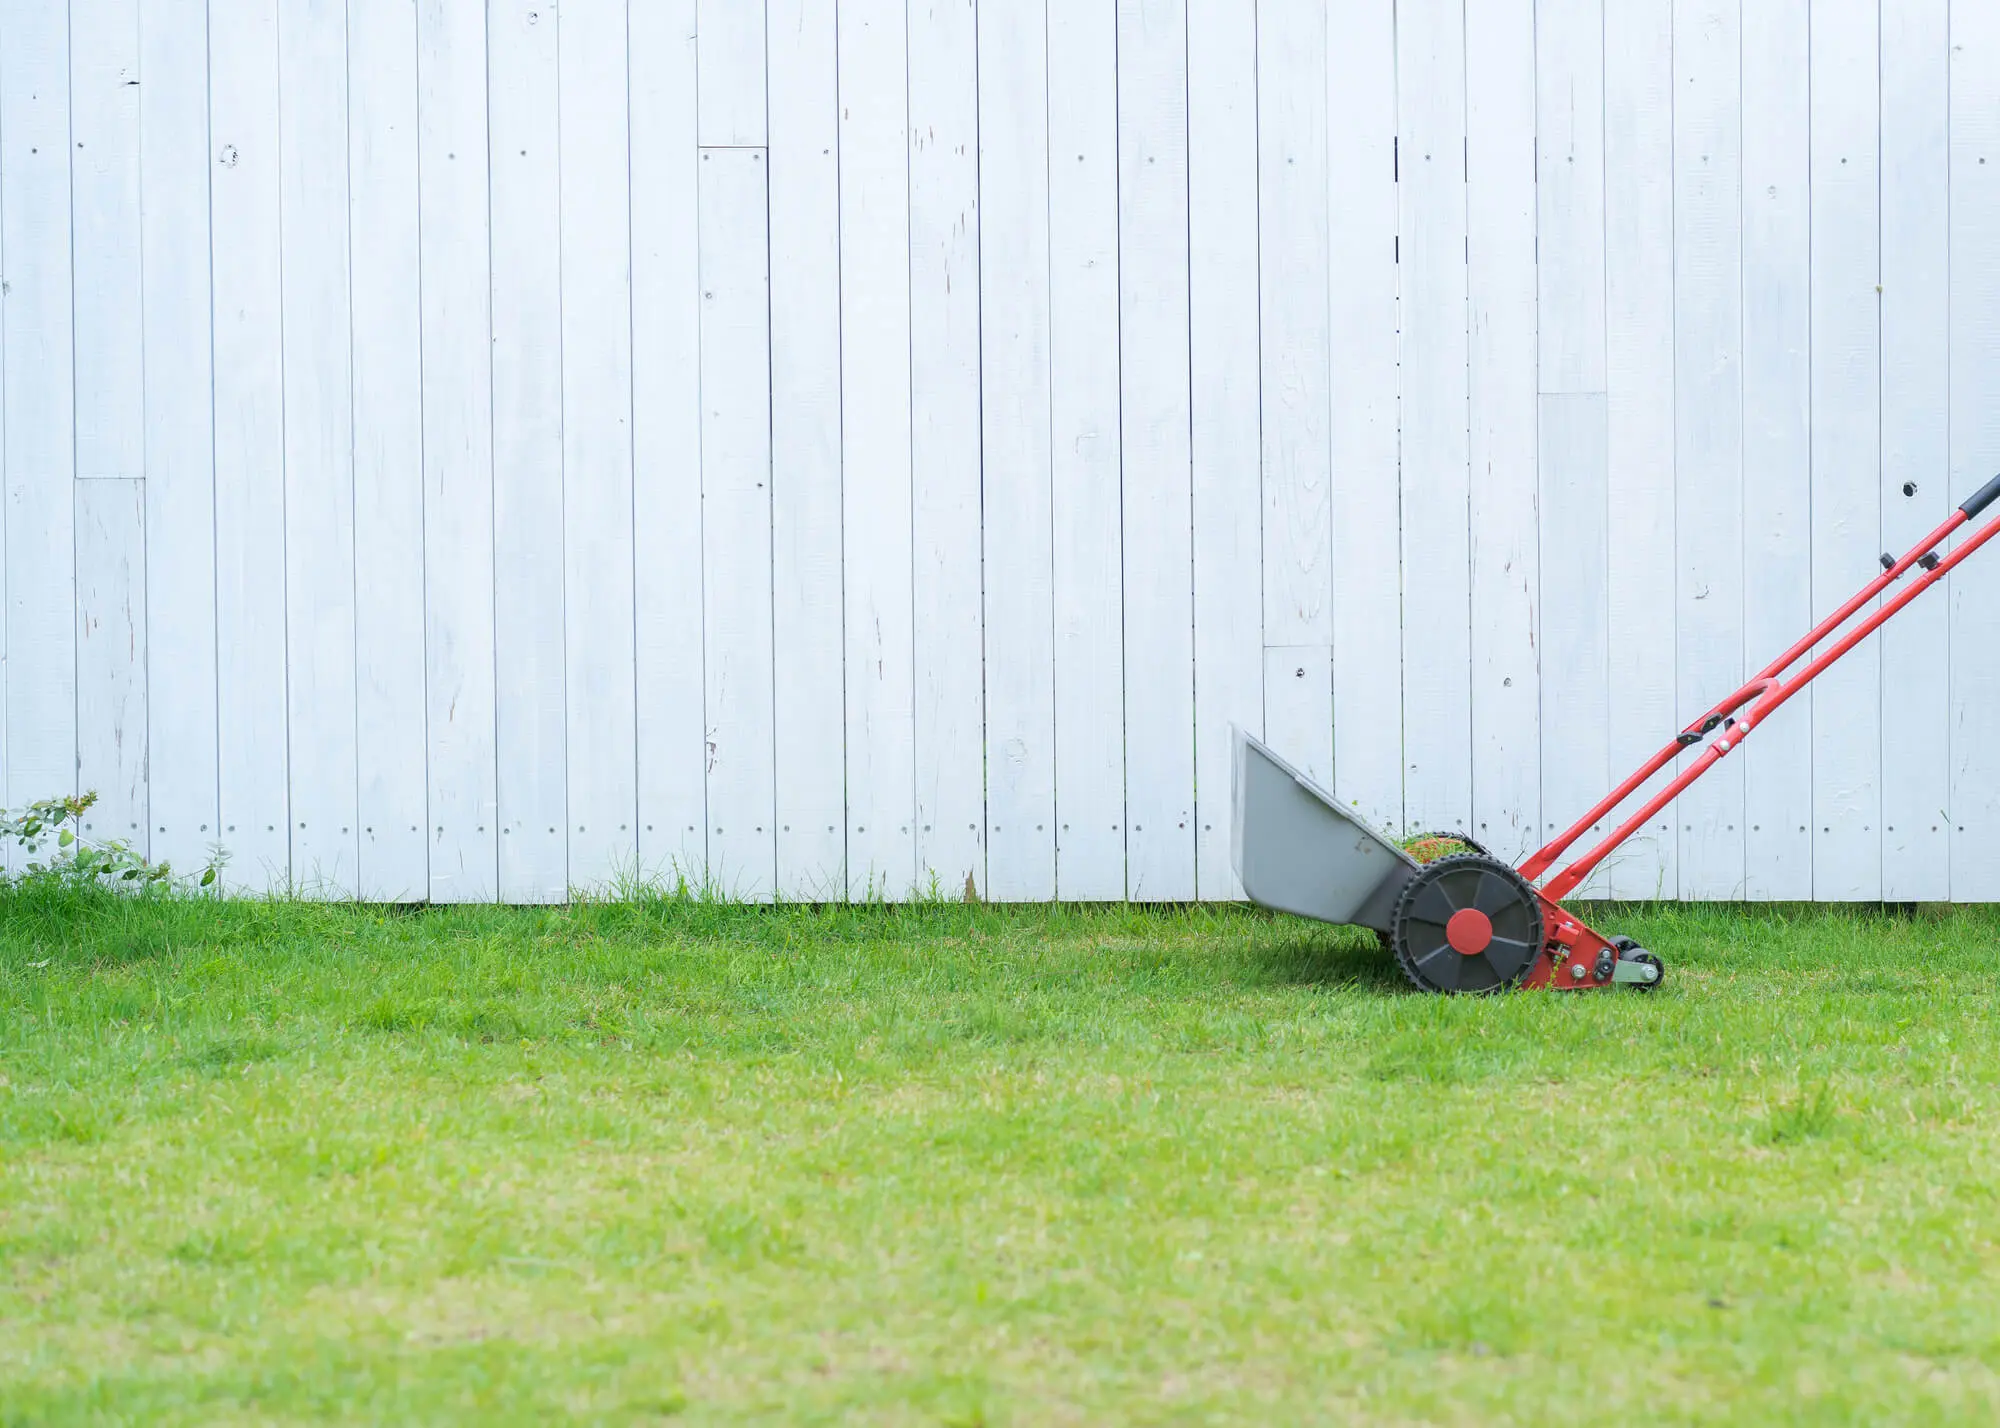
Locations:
(531, 685)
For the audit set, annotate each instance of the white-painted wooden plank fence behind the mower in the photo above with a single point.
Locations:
(475, 451)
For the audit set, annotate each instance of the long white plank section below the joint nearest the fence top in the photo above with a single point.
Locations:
(743, 853)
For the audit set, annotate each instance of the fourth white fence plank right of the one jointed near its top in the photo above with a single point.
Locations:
(1015, 337)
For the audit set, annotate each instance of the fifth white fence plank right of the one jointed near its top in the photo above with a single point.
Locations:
(1085, 83)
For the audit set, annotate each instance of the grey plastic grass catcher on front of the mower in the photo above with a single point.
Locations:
(1297, 851)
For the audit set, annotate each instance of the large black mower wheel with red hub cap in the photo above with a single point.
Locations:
(1467, 925)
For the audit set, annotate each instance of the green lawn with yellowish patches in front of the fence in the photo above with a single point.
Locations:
(275, 1163)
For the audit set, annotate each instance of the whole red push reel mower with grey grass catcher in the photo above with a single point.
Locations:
(1471, 923)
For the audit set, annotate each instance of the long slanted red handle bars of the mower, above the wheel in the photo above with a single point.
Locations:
(1765, 695)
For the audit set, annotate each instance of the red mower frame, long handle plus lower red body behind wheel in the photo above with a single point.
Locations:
(1581, 959)
